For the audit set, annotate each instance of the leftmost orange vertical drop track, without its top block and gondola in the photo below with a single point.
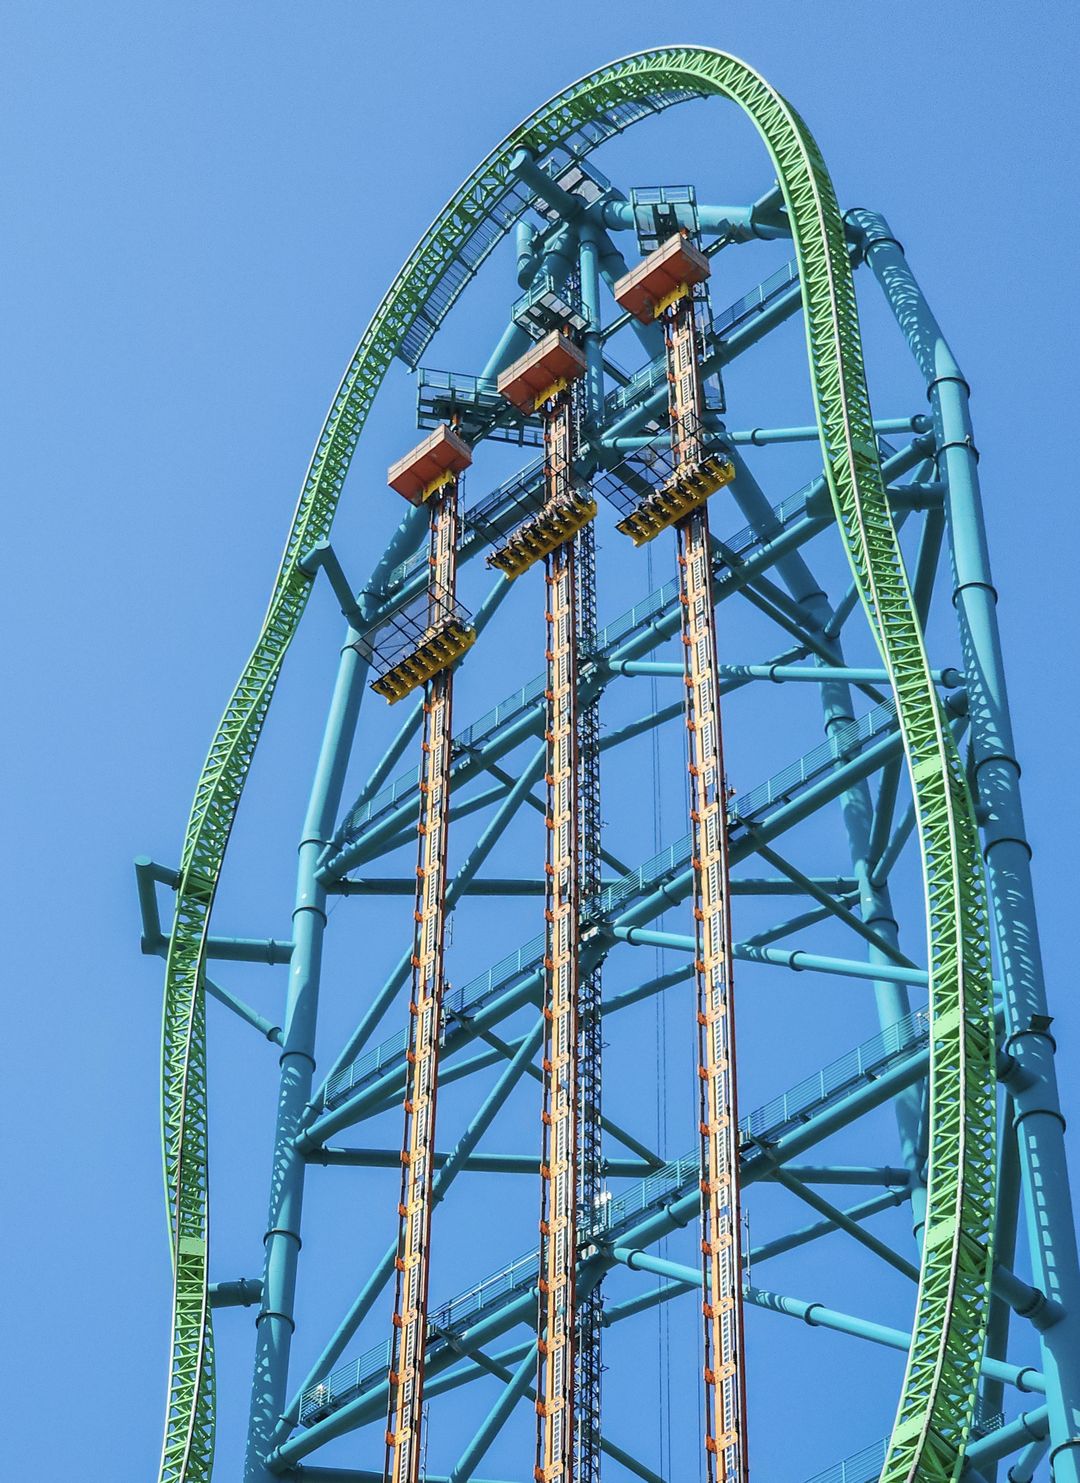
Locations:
(409, 1343)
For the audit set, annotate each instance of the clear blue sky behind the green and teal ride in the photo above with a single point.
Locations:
(204, 204)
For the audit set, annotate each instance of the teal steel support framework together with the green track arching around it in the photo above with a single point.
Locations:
(981, 1040)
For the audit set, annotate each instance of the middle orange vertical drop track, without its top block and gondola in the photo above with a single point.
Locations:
(559, 1168)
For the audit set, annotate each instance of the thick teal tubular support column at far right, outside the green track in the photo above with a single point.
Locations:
(1036, 1106)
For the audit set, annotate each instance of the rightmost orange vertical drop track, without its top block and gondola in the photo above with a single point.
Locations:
(719, 1125)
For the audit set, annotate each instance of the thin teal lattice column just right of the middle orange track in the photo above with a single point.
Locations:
(591, 1037)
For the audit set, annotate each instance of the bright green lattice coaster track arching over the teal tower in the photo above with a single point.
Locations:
(940, 1383)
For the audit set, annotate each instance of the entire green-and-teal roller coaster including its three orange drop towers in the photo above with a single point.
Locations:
(453, 1349)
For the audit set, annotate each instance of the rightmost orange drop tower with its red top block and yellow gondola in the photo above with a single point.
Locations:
(664, 288)
